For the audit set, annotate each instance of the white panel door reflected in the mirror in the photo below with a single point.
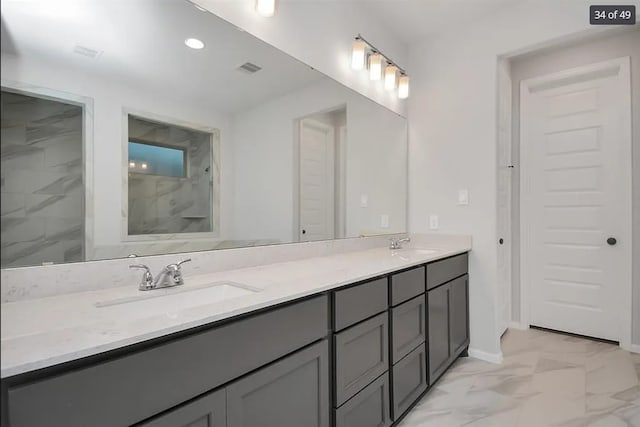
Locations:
(317, 175)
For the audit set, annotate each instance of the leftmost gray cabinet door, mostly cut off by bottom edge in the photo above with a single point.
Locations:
(207, 411)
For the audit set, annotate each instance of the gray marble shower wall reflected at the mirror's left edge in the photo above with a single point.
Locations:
(42, 181)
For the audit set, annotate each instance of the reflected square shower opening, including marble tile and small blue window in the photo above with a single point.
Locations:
(170, 179)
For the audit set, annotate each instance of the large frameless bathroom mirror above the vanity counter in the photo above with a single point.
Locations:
(151, 127)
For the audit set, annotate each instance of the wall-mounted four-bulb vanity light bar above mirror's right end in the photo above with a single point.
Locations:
(395, 77)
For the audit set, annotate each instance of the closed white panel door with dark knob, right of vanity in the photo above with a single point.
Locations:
(576, 196)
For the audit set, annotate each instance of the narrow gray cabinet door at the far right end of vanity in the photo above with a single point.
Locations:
(458, 306)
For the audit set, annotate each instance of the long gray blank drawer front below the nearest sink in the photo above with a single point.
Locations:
(148, 382)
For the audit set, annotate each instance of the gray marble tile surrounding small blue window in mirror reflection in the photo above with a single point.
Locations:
(164, 204)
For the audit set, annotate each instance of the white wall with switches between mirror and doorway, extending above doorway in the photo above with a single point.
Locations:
(452, 132)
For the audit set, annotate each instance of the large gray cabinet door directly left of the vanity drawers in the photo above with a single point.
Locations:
(290, 393)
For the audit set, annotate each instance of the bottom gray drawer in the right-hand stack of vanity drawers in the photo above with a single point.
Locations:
(409, 380)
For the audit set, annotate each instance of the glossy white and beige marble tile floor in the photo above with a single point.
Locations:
(546, 379)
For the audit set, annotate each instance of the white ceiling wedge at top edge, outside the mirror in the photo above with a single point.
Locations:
(412, 20)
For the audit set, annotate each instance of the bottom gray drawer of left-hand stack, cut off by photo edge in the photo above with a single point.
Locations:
(369, 408)
